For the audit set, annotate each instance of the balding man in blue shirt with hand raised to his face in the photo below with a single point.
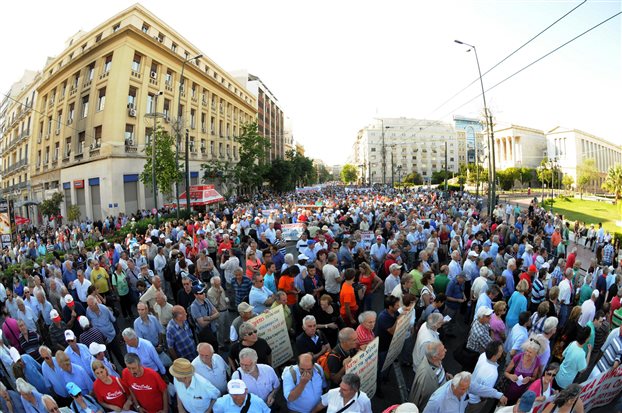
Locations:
(303, 384)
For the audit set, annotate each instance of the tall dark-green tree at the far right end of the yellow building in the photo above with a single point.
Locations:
(251, 168)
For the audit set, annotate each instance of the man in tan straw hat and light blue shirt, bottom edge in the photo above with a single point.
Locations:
(194, 392)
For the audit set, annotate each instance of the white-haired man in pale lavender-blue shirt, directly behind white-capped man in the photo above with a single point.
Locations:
(260, 379)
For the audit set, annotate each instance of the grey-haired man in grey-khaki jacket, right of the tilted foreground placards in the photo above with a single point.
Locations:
(430, 374)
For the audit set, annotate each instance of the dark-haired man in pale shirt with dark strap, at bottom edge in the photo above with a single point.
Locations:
(348, 397)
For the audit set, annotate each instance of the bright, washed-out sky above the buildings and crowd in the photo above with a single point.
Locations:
(335, 65)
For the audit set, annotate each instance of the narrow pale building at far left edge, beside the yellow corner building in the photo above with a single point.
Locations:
(17, 120)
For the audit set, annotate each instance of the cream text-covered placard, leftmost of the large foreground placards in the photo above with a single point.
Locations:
(271, 327)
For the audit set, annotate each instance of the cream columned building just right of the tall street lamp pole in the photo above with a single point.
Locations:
(518, 146)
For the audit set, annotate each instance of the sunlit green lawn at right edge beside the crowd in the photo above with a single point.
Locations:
(590, 212)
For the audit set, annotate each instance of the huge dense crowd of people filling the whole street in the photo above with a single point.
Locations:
(165, 320)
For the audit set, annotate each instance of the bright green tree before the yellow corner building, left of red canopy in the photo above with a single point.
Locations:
(167, 170)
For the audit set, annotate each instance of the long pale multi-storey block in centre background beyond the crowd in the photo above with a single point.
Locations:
(407, 145)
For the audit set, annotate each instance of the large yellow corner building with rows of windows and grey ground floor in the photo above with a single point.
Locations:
(92, 129)
